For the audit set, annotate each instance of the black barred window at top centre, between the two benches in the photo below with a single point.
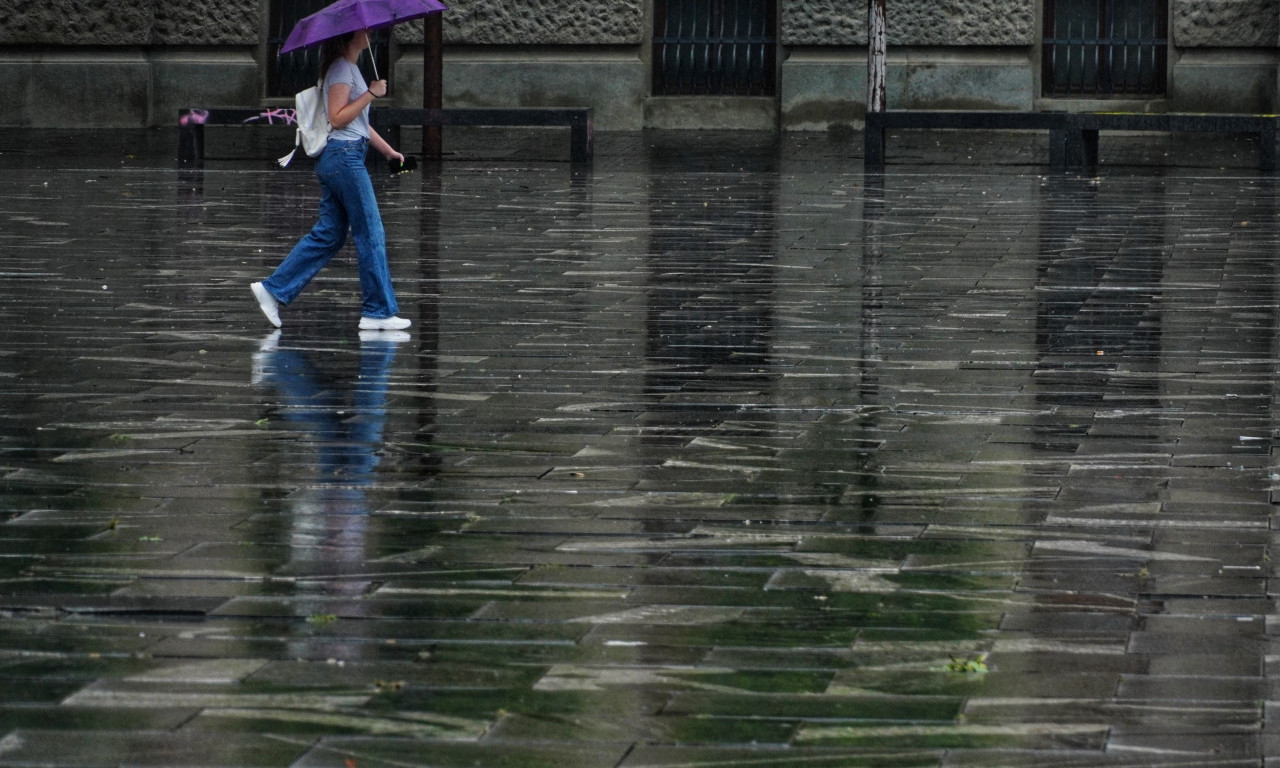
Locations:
(715, 48)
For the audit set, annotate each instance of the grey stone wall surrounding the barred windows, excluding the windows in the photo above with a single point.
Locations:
(84, 63)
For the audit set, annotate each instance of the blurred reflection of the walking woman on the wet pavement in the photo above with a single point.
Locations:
(340, 412)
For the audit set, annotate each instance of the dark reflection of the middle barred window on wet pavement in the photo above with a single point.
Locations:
(710, 316)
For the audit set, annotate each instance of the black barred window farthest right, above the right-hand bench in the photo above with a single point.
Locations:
(1105, 48)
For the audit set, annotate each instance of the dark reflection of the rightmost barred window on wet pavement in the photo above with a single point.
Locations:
(1098, 348)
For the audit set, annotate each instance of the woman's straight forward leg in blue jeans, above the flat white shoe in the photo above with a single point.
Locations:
(378, 298)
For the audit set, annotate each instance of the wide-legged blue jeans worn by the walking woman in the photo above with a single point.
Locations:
(346, 203)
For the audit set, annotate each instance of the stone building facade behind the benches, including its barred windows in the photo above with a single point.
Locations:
(661, 63)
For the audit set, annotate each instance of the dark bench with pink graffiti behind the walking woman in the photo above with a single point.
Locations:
(191, 124)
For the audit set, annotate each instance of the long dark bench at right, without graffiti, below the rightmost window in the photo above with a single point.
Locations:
(1073, 136)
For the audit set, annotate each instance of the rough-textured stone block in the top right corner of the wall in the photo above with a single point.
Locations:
(1227, 24)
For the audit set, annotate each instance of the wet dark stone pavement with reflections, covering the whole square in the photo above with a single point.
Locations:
(719, 454)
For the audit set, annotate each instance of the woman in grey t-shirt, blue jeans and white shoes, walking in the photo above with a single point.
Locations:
(348, 198)
